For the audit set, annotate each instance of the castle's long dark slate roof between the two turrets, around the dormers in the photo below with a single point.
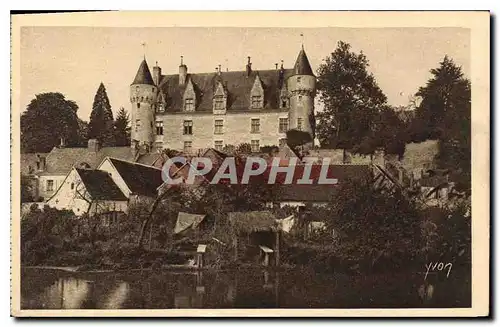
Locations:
(237, 83)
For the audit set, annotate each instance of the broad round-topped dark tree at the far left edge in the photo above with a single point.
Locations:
(49, 118)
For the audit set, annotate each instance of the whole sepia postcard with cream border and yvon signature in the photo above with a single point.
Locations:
(291, 165)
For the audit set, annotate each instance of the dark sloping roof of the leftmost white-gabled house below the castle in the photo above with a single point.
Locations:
(100, 185)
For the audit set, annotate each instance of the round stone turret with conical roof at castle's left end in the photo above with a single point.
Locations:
(143, 97)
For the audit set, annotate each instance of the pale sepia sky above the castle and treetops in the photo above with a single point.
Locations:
(75, 60)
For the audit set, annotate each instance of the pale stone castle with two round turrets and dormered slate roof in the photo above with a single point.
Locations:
(189, 111)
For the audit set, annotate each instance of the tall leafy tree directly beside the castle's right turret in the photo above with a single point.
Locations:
(351, 98)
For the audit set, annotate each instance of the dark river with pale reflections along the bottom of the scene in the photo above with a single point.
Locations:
(53, 289)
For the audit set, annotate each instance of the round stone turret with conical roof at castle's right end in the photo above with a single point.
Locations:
(302, 89)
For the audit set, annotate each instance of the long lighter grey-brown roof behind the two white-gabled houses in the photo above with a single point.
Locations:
(61, 160)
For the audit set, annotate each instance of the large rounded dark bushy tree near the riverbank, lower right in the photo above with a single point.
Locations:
(375, 228)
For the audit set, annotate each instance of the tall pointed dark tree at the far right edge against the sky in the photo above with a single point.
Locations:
(444, 115)
